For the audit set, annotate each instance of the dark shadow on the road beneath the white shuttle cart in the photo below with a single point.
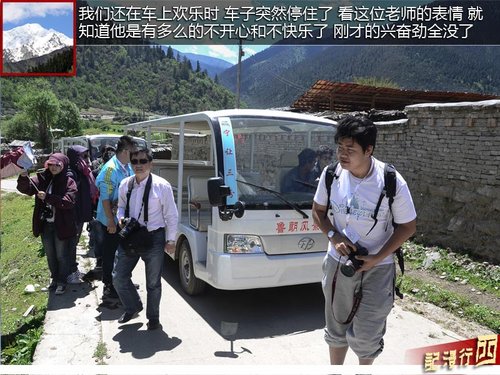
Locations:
(259, 312)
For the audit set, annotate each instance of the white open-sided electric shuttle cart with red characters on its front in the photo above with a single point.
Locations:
(237, 229)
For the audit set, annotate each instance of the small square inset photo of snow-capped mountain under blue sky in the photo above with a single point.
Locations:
(38, 38)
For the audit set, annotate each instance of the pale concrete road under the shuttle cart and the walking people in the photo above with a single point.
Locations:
(277, 326)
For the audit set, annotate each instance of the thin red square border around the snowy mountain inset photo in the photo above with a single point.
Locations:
(16, 74)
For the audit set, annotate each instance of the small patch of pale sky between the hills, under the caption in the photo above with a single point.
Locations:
(224, 52)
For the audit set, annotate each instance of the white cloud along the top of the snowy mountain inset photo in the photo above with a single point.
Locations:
(17, 12)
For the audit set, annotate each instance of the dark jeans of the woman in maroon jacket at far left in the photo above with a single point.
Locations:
(57, 252)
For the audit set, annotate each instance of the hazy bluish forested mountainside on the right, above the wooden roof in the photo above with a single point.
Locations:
(277, 76)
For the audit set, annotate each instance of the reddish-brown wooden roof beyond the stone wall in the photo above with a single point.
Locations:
(346, 97)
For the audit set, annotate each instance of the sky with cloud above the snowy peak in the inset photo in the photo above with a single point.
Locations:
(57, 16)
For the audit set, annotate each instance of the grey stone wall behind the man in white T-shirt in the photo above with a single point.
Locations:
(450, 156)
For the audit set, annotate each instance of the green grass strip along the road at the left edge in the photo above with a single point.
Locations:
(22, 262)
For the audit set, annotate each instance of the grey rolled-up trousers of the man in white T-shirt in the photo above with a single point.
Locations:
(364, 334)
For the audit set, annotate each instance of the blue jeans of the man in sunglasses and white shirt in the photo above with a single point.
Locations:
(122, 277)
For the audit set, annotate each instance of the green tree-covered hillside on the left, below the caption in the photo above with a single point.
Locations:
(135, 78)
